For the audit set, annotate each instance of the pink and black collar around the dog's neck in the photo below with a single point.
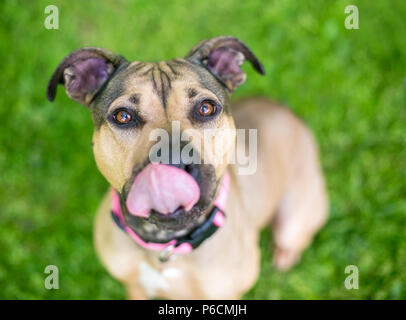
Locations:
(187, 243)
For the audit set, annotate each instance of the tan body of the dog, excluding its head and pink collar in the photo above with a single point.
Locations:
(288, 188)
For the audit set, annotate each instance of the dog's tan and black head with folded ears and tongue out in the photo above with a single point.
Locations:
(130, 101)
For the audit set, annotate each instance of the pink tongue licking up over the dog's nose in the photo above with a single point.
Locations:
(163, 188)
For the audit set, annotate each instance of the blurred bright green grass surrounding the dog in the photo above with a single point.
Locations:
(348, 85)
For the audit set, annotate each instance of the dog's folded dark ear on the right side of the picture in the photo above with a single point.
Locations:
(223, 57)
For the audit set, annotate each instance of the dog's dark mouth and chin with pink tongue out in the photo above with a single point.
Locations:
(169, 197)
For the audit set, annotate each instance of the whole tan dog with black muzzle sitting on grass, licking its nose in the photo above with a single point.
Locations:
(191, 231)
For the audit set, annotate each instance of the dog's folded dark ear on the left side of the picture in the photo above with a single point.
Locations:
(83, 73)
